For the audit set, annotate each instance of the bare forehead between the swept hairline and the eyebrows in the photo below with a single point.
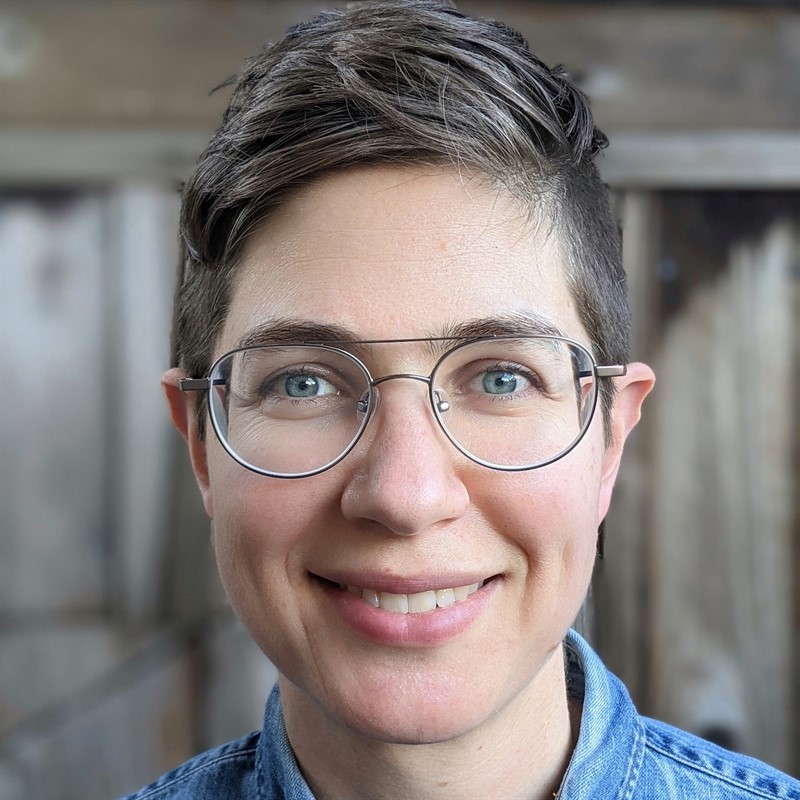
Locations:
(387, 253)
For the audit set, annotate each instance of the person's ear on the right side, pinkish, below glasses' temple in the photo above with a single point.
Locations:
(632, 388)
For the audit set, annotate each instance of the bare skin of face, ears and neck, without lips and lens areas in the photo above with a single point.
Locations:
(395, 253)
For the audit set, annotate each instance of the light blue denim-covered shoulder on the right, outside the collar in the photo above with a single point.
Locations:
(676, 764)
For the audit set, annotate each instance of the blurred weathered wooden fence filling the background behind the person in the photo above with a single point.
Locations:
(118, 655)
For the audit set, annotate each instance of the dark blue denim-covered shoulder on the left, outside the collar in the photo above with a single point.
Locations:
(224, 773)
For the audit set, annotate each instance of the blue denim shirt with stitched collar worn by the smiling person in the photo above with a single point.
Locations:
(619, 756)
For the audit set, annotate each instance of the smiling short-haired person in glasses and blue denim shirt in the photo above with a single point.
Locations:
(401, 342)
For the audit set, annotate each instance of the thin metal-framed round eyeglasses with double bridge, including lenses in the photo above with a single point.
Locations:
(507, 402)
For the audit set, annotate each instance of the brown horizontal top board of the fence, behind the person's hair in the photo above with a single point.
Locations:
(151, 64)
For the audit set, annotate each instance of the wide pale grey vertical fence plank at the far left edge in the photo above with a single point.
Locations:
(54, 487)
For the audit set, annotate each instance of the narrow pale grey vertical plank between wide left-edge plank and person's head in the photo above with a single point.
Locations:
(143, 249)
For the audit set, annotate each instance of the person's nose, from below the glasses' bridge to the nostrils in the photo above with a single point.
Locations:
(403, 477)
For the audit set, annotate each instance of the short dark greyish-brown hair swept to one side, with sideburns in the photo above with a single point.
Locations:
(406, 83)
